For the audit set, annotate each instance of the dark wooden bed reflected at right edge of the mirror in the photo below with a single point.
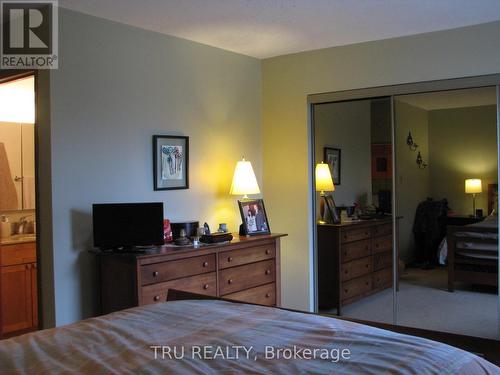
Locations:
(472, 253)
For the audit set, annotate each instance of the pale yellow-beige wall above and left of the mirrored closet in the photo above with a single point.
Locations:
(286, 82)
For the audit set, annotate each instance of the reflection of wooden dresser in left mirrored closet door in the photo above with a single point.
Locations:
(354, 261)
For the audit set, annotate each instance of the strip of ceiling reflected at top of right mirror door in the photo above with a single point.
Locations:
(451, 99)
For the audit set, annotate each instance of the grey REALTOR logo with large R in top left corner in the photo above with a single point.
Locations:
(29, 34)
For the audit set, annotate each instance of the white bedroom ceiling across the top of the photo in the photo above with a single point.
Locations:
(266, 28)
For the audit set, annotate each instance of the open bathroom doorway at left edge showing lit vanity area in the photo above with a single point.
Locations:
(18, 207)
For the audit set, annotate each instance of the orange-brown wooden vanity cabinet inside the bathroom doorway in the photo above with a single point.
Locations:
(18, 288)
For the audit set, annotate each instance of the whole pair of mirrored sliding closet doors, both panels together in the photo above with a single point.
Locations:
(443, 210)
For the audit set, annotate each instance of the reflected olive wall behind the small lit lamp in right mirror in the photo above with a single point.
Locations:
(463, 144)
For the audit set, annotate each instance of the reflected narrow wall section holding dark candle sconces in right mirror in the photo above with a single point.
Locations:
(412, 183)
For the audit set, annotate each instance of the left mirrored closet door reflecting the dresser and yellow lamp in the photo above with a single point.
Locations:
(353, 180)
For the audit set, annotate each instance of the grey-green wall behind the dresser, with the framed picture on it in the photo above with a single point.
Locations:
(116, 86)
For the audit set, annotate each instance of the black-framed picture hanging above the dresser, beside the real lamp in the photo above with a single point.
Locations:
(170, 162)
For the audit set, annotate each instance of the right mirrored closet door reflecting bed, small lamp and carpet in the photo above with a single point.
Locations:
(446, 183)
